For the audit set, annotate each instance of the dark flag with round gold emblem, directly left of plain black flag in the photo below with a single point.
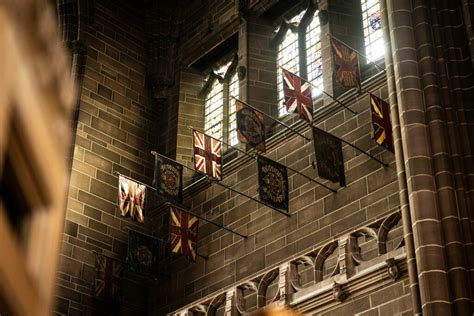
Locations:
(273, 183)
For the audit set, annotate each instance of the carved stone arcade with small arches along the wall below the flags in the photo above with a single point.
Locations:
(351, 272)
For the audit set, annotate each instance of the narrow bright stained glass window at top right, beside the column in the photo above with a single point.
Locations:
(374, 46)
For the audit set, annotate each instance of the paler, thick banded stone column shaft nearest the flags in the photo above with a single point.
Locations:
(417, 157)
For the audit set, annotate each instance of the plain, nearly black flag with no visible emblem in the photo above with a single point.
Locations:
(329, 159)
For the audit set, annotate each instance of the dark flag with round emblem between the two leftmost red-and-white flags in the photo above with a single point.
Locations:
(169, 179)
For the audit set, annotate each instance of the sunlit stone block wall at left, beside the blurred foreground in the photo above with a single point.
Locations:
(115, 133)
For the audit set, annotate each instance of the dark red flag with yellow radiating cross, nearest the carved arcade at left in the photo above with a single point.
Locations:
(183, 233)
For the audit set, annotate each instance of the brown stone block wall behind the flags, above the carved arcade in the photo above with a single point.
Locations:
(317, 215)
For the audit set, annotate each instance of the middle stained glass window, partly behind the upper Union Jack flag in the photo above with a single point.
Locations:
(288, 57)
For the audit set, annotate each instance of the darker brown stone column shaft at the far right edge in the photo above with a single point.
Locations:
(437, 110)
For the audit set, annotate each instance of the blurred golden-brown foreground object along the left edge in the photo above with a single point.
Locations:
(36, 100)
